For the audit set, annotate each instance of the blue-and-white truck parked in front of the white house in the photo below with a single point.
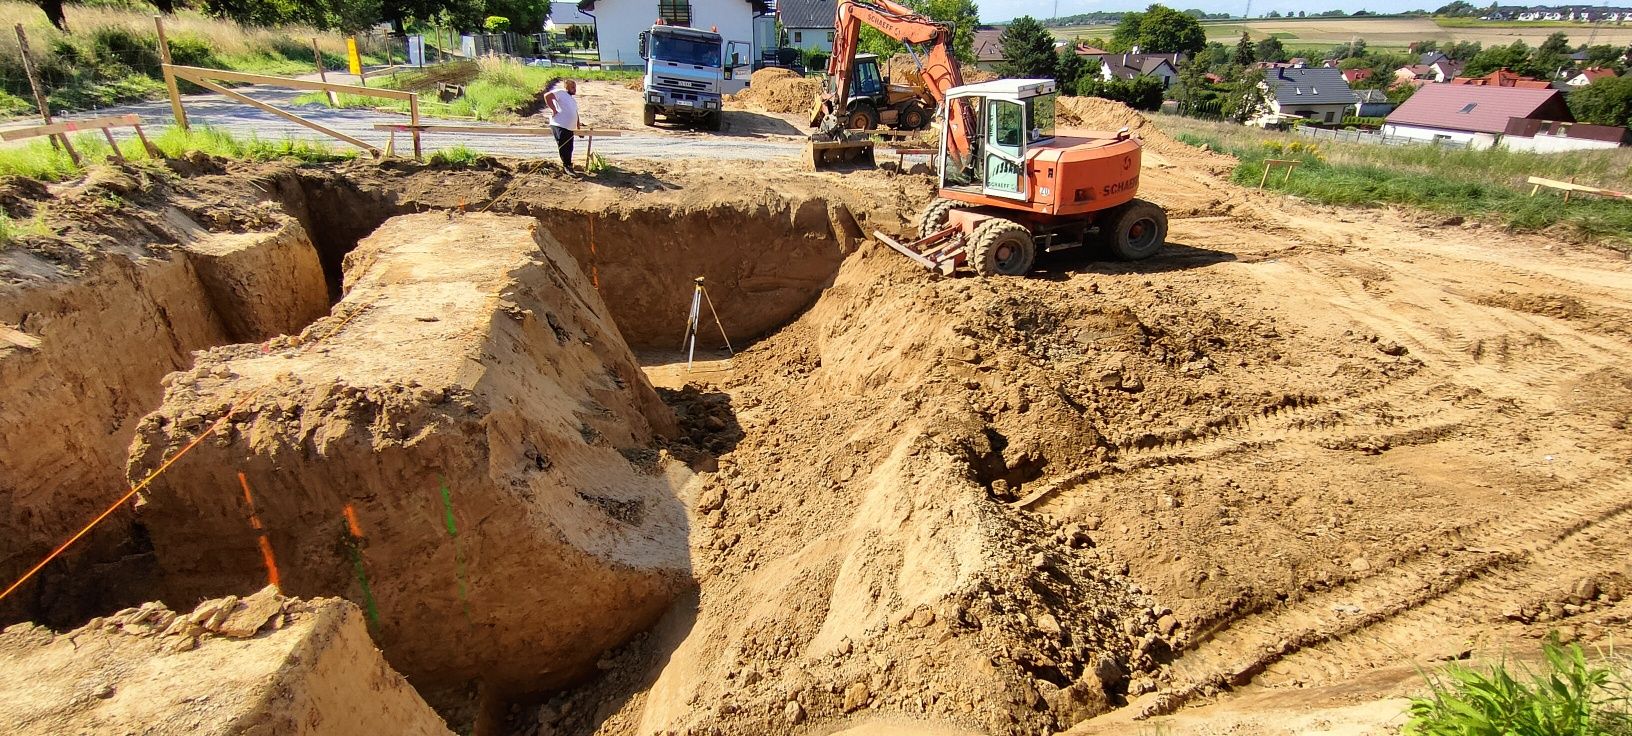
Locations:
(688, 71)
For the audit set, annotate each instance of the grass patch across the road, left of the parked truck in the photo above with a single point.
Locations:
(500, 89)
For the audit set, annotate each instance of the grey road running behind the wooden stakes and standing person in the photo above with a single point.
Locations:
(743, 138)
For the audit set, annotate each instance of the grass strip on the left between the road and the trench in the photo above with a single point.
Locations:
(40, 161)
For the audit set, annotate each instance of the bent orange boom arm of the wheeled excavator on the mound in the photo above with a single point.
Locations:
(938, 64)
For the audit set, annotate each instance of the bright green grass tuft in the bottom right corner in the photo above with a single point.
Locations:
(1569, 696)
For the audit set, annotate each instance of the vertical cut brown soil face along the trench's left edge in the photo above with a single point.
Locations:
(86, 363)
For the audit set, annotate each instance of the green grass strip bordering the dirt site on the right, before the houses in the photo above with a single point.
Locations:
(1455, 182)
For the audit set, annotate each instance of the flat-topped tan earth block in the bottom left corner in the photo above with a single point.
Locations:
(264, 665)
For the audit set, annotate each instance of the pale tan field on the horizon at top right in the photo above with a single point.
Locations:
(1388, 32)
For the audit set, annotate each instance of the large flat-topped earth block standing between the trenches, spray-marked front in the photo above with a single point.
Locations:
(464, 448)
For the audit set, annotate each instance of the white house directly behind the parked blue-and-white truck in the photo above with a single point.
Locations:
(619, 24)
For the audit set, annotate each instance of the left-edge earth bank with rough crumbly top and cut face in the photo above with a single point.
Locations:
(91, 321)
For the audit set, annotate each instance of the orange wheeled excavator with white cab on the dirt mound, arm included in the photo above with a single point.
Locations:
(1009, 185)
